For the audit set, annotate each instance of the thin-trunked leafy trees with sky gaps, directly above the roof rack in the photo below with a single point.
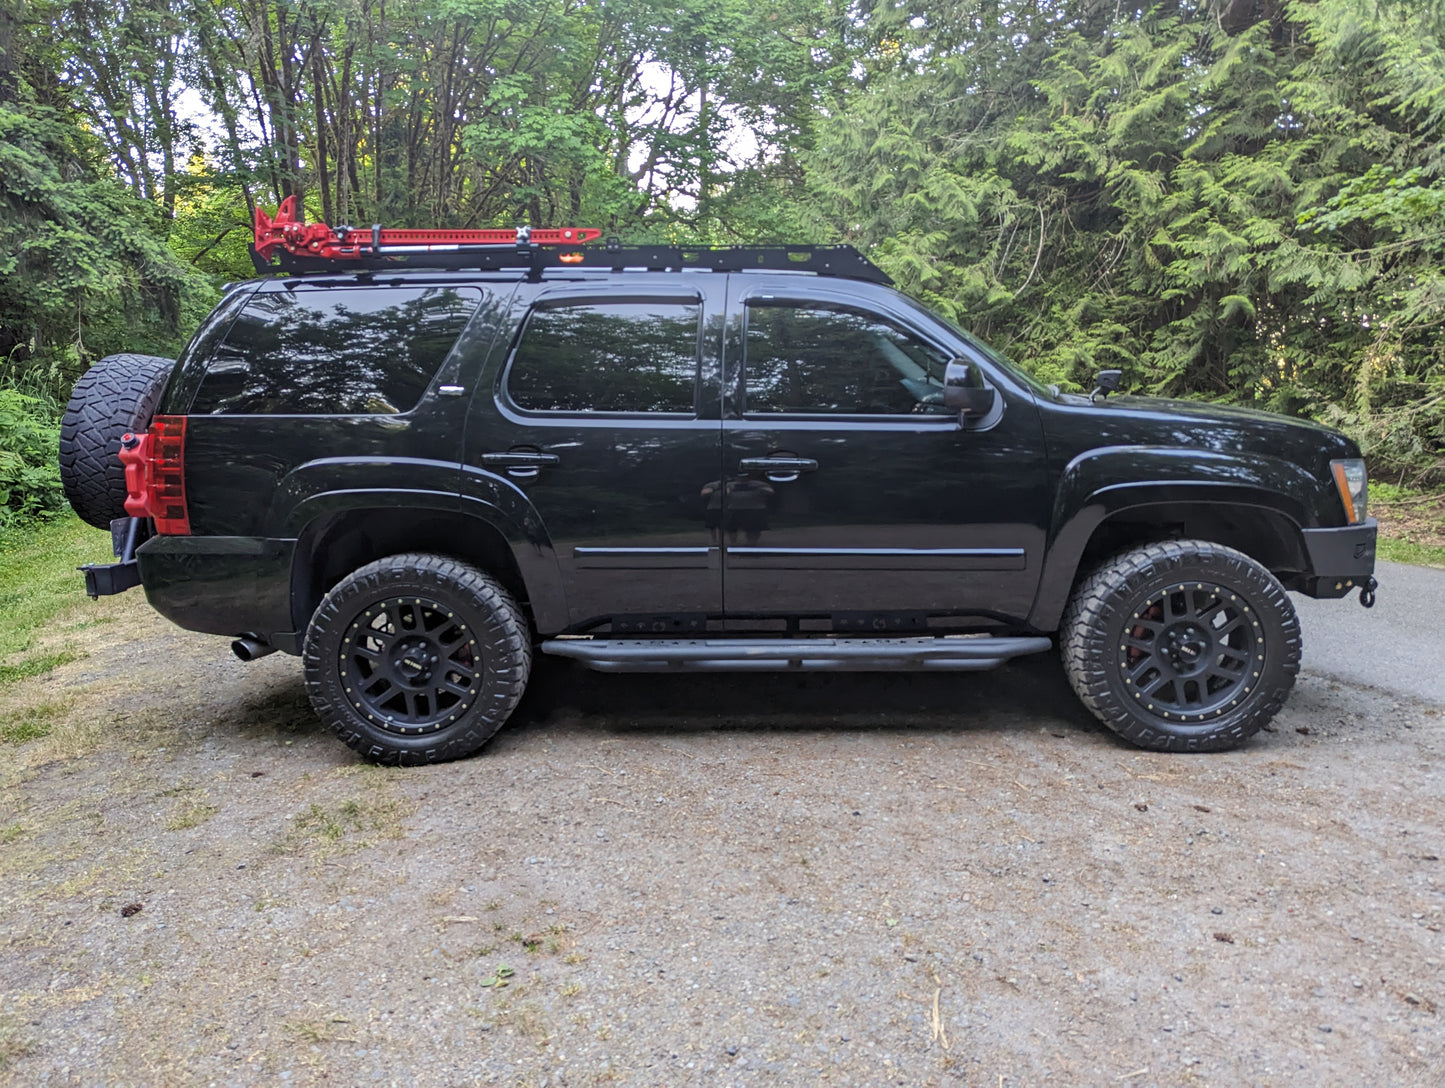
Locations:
(480, 112)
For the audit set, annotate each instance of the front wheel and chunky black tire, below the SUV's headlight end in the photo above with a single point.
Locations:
(1128, 631)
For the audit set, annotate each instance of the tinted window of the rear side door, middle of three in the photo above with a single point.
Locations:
(608, 358)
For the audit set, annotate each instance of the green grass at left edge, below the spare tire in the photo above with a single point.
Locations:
(38, 580)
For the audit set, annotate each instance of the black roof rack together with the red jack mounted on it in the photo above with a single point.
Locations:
(291, 246)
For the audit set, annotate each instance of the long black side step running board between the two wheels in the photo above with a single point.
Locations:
(852, 655)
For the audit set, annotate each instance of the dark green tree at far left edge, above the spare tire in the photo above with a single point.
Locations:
(85, 265)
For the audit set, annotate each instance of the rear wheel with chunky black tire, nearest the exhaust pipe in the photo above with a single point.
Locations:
(441, 618)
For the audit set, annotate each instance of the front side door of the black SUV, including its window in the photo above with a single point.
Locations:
(849, 488)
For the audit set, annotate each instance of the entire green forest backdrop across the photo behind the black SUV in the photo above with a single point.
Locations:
(1239, 200)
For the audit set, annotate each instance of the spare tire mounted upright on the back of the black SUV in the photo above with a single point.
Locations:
(115, 397)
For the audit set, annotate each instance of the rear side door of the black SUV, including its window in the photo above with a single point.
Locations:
(606, 414)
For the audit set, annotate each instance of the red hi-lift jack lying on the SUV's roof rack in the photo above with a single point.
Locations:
(298, 239)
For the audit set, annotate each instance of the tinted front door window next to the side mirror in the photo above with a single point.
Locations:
(837, 362)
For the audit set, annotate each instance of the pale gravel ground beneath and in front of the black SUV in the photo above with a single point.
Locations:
(716, 881)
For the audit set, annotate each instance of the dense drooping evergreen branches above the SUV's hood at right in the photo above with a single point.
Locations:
(1238, 202)
